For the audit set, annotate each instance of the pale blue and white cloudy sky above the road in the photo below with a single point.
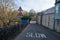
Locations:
(37, 5)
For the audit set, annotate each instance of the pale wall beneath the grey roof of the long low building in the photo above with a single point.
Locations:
(47, 20)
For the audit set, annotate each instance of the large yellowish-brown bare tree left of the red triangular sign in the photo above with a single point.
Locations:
(7, 14)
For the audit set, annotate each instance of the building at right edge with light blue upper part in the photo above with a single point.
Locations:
(57, 15)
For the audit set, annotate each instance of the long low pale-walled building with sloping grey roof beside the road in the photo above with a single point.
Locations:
(47, 19)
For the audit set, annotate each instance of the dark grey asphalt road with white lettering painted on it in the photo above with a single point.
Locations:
(37, 32)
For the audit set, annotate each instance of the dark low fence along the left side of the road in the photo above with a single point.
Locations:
(7, 32)
